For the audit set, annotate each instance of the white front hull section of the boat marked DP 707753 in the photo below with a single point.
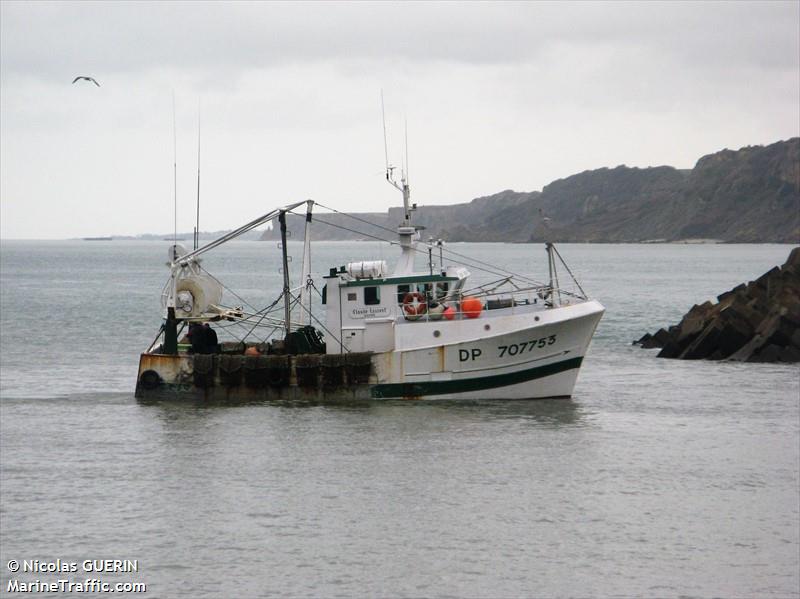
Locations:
(504, 356)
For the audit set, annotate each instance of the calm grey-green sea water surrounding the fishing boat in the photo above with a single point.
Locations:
(658, 478)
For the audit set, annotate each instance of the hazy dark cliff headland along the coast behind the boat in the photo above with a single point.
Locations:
(748, 195)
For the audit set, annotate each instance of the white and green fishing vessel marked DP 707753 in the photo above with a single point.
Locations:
(383, 334)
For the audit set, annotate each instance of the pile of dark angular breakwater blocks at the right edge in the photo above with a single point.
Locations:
(754, 322)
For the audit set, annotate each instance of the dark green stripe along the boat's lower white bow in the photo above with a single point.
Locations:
(476, 384)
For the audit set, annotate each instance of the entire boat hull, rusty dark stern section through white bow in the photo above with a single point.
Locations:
(481, 365)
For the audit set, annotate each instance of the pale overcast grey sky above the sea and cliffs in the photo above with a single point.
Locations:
(287, 100)
